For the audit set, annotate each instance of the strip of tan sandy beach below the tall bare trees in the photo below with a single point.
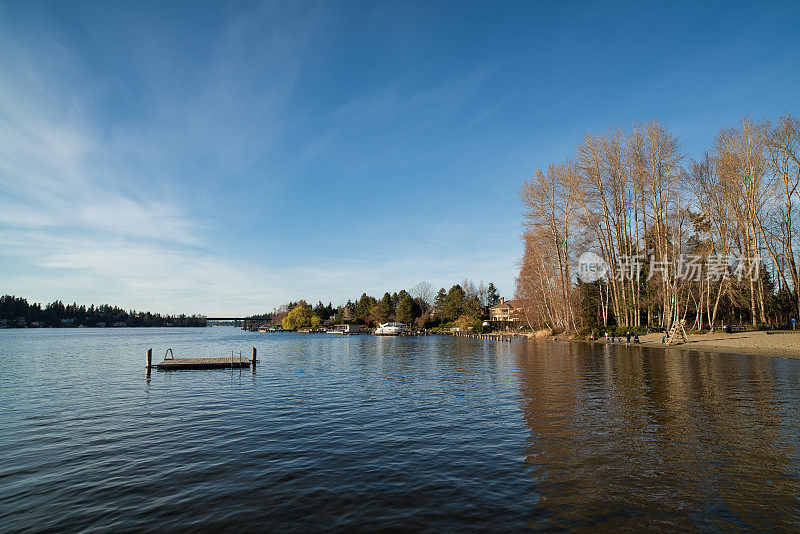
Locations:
(755, 343)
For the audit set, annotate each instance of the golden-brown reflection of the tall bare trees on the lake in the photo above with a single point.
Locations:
(626, 437)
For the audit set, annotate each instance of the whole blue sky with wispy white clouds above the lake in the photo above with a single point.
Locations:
(225, 158)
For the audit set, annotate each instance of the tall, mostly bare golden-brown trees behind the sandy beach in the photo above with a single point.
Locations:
(710, 241)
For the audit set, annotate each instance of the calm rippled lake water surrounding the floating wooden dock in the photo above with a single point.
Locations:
(432, 433)
